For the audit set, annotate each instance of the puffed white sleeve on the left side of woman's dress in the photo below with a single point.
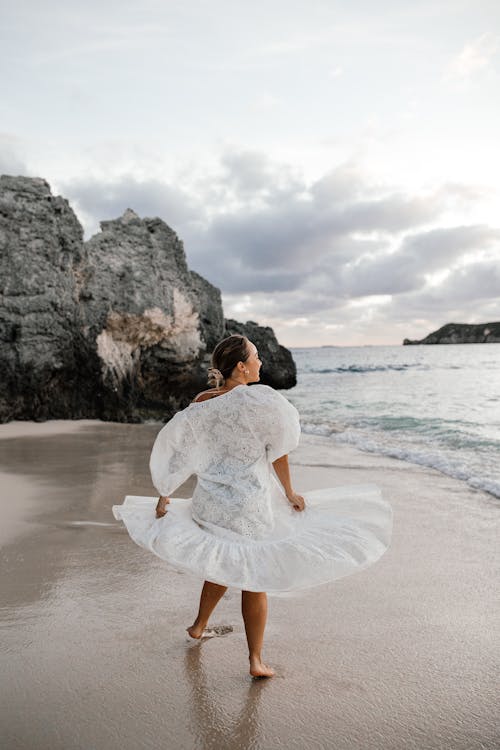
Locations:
(172, 457)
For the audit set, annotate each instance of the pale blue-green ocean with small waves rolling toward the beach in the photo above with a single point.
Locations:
(438, 406)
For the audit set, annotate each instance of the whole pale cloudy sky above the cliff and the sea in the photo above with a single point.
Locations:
(333, 167)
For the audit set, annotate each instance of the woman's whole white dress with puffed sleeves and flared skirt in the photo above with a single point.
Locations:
(239, 529)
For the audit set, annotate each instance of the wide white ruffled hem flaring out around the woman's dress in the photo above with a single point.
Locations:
(342, 530)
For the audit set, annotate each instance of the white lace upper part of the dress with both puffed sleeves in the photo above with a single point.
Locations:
(229, 443)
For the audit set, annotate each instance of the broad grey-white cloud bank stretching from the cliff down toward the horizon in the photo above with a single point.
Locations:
(336, 252)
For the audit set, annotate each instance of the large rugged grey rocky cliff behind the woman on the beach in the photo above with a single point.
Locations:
(116, 328)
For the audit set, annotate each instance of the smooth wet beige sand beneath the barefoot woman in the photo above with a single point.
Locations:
(93, 650)
